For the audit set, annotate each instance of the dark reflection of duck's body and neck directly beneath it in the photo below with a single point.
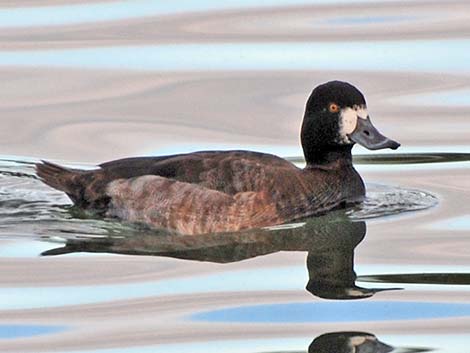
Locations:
(330, 241)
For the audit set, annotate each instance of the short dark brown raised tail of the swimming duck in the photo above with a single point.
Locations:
(60, 178)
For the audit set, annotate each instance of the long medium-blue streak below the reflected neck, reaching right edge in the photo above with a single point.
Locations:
(335, 312)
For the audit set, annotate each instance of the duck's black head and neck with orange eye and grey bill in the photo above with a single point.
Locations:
(335, 119)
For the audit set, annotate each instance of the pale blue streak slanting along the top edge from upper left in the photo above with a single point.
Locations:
(119, 10)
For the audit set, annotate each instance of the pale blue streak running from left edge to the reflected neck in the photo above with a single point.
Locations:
(286, 278)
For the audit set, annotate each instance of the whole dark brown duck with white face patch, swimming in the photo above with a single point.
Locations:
(229, 191)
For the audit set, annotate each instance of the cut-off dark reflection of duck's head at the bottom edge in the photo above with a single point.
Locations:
(348, 342)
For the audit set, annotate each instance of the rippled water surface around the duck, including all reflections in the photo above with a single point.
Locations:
(88, 81)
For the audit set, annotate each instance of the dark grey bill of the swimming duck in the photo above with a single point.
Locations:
(368, 136)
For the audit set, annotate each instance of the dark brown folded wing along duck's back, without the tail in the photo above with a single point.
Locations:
(227, 171)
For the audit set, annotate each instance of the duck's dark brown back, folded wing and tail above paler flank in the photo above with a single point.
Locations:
(230, 172)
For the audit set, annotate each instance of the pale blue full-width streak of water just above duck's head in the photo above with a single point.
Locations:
(416, 56)
